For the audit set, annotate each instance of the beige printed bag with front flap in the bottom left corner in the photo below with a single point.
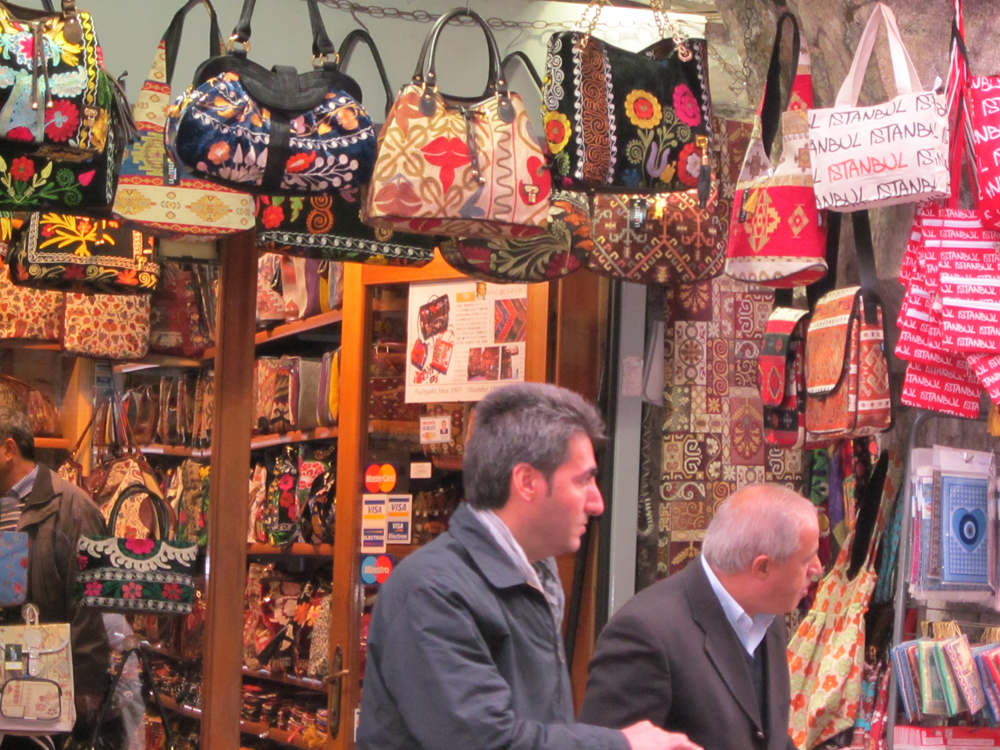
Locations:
(36, 677)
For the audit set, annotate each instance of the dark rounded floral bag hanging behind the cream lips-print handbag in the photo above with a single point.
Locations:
(560, 251)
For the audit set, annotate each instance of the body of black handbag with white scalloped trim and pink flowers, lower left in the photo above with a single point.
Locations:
(136, 575)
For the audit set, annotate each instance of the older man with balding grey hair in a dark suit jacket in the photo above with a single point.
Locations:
(703, 651)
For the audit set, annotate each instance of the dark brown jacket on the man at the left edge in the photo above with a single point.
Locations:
(56, 513)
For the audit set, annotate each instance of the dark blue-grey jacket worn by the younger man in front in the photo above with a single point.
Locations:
(464, 653)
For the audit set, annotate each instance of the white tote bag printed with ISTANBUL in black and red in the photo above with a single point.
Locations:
(884, 154)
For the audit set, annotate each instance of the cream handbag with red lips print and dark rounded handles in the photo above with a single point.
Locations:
(458, 166)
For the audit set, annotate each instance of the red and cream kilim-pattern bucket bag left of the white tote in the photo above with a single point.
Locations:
(777, 237)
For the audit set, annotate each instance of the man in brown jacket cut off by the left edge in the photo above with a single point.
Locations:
(54, 514)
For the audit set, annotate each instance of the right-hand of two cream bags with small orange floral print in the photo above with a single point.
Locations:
(106, 326)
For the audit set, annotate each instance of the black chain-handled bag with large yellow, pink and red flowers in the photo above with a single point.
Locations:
(633, 121)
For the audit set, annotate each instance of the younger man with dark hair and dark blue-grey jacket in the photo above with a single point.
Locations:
(464, 647)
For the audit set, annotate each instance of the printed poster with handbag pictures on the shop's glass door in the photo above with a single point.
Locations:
(464, 338)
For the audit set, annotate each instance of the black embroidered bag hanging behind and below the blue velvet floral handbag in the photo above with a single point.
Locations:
(329, 226)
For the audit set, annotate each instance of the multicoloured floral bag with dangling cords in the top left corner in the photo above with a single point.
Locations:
(66, 108)
